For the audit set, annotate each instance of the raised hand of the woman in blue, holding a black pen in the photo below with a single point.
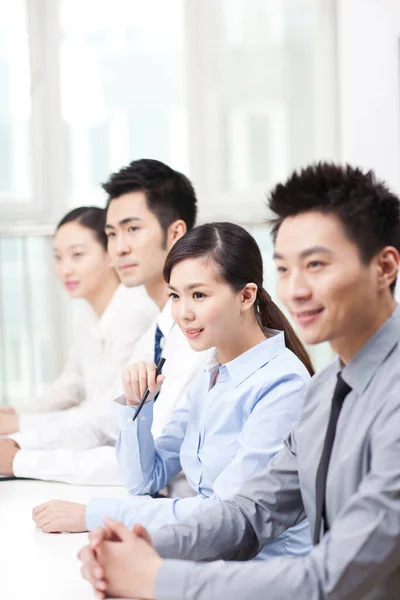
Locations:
(138, 377)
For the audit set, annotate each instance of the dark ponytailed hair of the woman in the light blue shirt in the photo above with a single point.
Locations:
(239, 259)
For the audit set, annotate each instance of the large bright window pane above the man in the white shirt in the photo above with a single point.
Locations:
(121, 88)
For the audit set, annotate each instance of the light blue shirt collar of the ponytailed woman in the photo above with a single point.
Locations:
(243, 366)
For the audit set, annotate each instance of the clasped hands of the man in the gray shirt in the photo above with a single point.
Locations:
(120, 562)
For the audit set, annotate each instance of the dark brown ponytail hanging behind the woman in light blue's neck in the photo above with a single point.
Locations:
(270, 315)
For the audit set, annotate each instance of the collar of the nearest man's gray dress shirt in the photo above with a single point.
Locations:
(361, 369)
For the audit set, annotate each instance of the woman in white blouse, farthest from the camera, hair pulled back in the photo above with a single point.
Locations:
(113, 318)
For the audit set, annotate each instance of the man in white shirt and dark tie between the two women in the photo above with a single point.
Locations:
(150, 206)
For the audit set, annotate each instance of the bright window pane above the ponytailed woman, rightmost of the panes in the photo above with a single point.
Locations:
(266, 89)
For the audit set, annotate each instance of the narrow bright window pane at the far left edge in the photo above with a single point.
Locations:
(15, 105)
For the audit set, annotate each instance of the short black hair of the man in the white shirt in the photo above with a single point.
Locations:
(169, 194)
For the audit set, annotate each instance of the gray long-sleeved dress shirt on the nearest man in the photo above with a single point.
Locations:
(359, 558)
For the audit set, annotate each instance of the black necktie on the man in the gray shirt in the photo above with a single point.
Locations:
(340, 393)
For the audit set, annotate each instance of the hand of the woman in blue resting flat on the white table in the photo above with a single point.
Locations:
(58, 516)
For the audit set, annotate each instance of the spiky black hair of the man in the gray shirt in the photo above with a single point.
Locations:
(368, 210)
